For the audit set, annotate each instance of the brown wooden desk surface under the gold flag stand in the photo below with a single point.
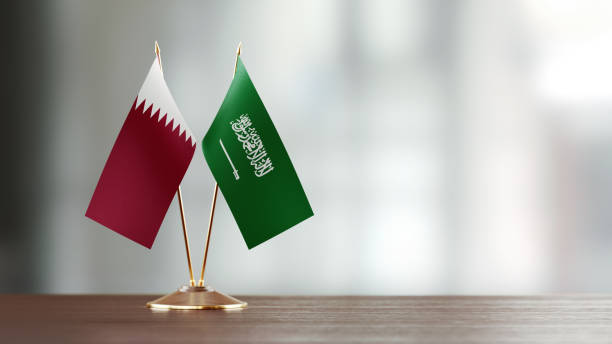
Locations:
(306, 319)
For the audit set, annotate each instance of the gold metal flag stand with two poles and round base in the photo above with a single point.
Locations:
(200, 296)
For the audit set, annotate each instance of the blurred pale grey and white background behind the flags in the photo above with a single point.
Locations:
(446, 147)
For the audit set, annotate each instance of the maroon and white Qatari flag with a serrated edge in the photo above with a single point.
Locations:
(145, 166)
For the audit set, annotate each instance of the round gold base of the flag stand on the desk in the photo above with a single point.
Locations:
(188, 297)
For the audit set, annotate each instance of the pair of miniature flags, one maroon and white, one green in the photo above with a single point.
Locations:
(242, 149)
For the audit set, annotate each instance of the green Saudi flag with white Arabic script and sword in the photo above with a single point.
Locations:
(252, 167)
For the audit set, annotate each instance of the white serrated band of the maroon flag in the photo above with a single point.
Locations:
(155, 91)
